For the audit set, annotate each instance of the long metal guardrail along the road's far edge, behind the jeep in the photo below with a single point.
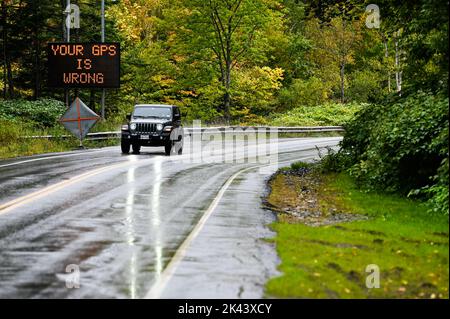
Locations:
(229, 129)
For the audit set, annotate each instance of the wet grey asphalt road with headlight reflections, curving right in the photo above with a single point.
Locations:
(122, 218)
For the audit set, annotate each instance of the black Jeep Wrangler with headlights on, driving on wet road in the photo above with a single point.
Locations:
(153, 125)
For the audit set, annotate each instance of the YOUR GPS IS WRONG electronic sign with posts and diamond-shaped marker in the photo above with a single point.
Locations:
(82, 65)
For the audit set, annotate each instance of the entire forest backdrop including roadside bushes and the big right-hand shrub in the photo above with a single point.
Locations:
(282, 62)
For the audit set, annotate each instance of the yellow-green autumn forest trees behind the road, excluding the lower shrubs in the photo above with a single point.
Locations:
(237, 59)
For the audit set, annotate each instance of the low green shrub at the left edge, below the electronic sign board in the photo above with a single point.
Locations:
(43, 112)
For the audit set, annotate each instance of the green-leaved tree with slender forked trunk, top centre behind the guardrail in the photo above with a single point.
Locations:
(228, 31)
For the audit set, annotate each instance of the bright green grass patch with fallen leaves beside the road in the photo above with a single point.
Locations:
(409, 245)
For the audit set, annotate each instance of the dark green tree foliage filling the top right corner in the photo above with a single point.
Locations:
(424, 41)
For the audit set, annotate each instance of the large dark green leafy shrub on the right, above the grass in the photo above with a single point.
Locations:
(399, 146)
